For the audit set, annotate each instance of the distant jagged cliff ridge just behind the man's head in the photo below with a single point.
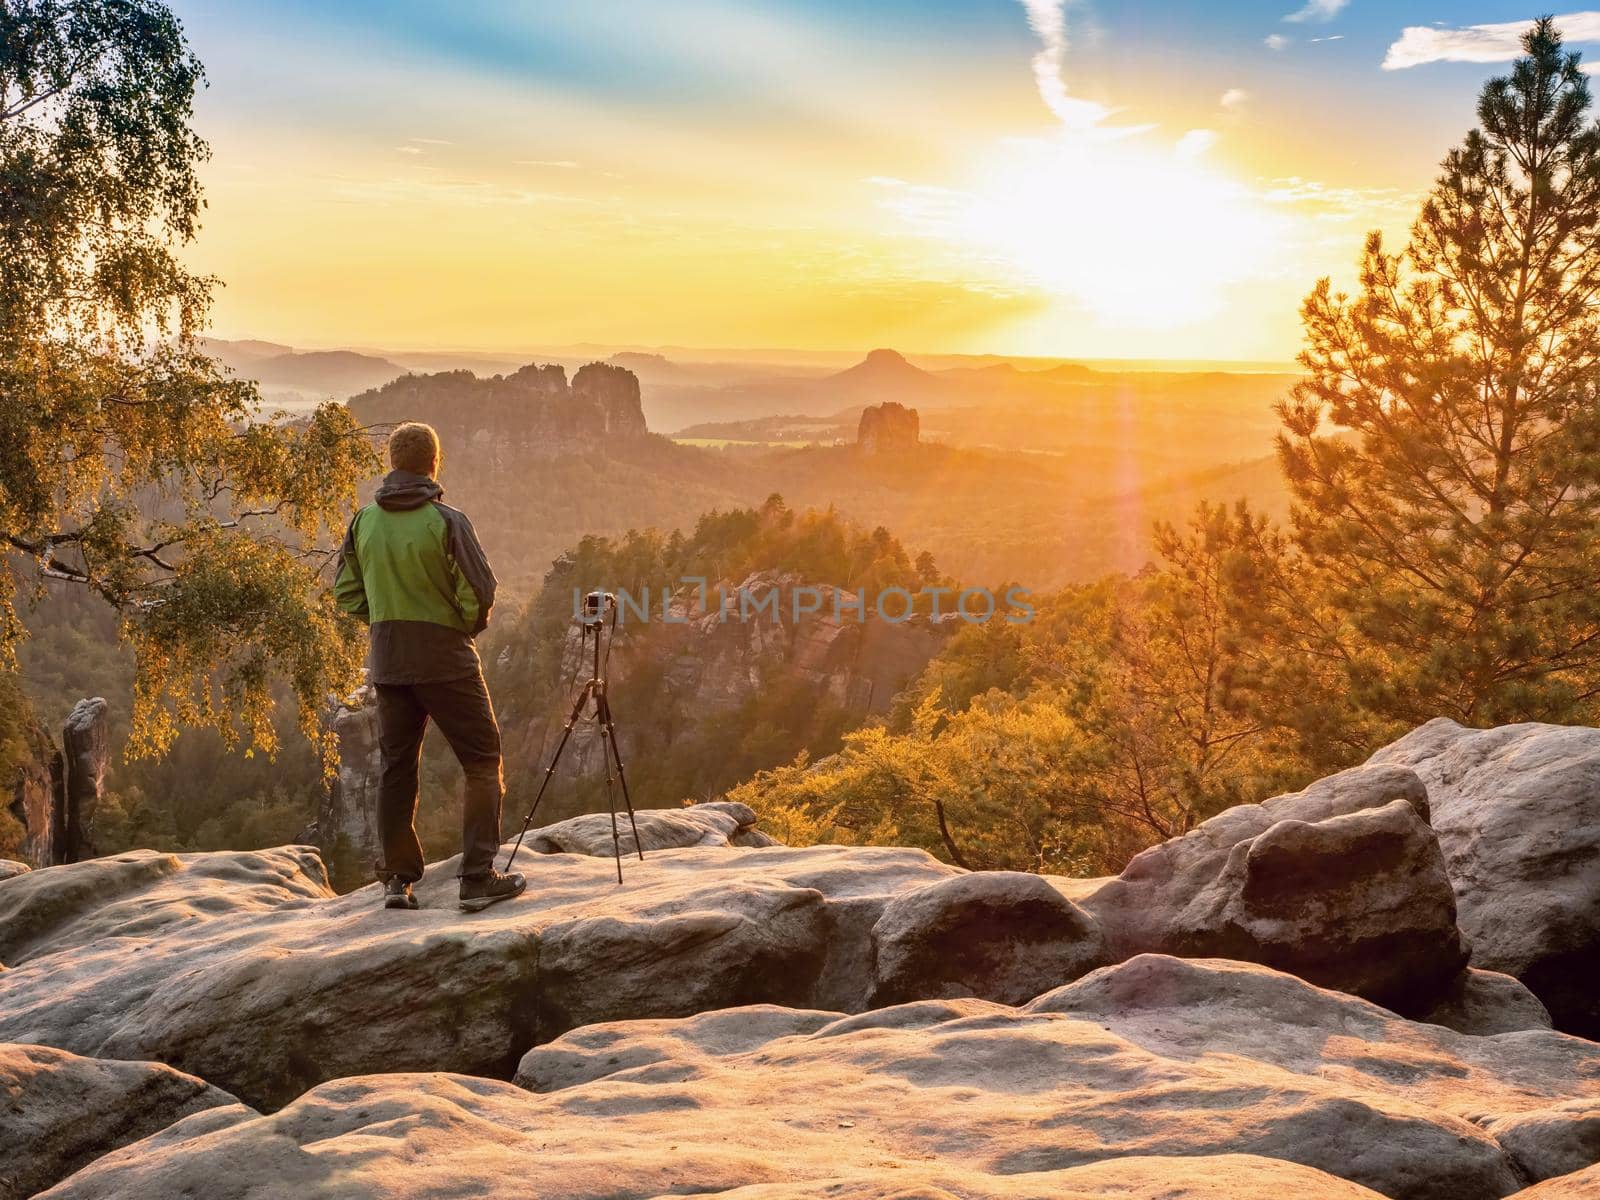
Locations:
(503, 420)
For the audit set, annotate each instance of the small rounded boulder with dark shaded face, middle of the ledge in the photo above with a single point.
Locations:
(998, 935)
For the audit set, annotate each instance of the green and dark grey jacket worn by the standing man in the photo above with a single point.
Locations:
(415, 572)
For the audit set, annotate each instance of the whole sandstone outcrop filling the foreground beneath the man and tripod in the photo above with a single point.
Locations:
(767, 1022)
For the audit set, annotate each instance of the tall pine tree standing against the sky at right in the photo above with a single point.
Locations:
(1444, 450)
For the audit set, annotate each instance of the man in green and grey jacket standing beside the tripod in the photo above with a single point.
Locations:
(412, 569)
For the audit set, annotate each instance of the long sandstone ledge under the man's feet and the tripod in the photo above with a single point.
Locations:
(247, 972)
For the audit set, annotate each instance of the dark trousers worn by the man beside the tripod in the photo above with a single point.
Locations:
(465, 716)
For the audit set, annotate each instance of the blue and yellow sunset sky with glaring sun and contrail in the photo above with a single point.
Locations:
(1066, 178)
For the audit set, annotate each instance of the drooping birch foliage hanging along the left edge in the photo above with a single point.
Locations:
(129, 468)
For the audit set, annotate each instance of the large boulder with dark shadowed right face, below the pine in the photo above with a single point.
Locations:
(1342, 884)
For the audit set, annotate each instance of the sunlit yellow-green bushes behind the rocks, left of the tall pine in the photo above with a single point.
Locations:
(1129, 713)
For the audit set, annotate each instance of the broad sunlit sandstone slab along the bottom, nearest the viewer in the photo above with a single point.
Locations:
(1159, 1078)
